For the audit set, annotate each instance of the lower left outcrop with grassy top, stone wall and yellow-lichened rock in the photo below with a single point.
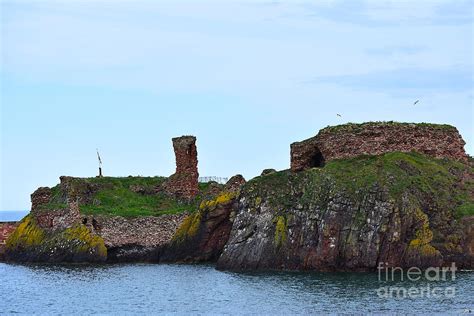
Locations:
(100, 219)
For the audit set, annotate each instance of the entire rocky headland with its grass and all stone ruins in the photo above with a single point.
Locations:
(351, 202)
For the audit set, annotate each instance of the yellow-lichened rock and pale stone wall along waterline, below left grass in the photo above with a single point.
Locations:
(94, 238)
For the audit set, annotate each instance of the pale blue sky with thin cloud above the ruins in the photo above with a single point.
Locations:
(246, 77)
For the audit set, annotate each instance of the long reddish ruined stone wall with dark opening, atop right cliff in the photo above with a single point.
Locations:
(351, 140)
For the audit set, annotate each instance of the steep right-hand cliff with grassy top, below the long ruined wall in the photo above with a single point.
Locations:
(400, 209)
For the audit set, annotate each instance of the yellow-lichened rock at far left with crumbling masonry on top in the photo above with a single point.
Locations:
(53, 234)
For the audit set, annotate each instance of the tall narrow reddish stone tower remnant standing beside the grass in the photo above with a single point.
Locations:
(184, 182)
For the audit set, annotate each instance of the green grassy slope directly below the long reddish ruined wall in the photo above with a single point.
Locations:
(417, 174)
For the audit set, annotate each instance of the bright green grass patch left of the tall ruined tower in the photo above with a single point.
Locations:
(127, 196)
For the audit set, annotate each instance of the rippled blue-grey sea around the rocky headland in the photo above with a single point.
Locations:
(190, 289)
